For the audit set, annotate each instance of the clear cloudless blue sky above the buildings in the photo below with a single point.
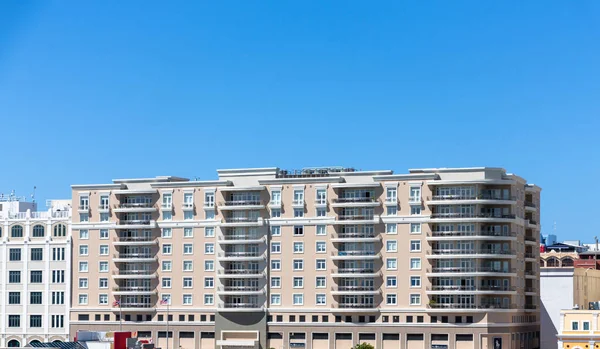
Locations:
(91, 91)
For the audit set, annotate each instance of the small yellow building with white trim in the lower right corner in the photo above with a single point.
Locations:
(579, 329)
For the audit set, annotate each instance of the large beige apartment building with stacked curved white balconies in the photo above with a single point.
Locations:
(316, 258)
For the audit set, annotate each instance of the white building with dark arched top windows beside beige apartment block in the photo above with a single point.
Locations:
(35, 254)
